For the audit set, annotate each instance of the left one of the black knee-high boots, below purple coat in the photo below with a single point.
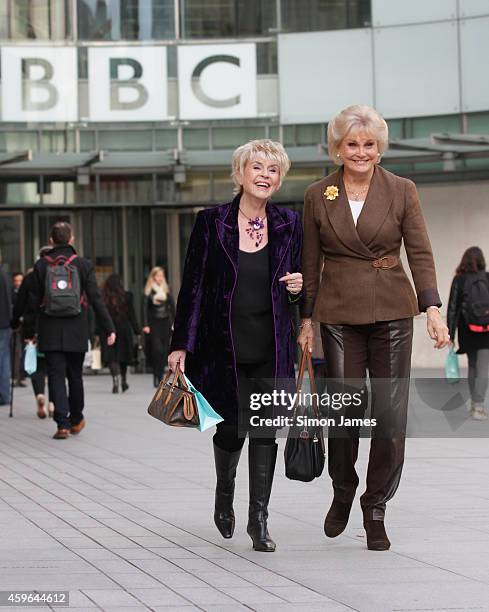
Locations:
(226, 464)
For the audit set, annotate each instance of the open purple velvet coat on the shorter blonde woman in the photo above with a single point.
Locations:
(203, 317)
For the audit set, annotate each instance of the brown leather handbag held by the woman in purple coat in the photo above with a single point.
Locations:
(173, 403)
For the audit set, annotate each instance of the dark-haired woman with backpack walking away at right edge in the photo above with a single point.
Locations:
(472, 268)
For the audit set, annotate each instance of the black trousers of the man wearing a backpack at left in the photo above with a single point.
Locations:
(68, 405)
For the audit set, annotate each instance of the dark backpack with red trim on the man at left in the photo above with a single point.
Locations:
(62, 289)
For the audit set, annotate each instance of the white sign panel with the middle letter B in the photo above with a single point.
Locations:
(127, 84)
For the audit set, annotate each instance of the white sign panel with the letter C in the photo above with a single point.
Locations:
(217, 81)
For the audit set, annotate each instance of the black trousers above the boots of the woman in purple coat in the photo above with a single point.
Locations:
(252, 378)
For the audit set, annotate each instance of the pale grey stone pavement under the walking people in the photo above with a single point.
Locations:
(121, 516)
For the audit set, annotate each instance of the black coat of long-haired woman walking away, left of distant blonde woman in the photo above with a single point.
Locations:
(125, 326)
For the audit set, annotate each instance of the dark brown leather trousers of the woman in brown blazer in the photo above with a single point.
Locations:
(384, 349)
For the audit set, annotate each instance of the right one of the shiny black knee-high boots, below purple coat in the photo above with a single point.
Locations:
(261, 462)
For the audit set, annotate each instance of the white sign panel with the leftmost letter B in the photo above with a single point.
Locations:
(39, 84)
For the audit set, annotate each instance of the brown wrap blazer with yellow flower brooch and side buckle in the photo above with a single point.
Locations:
(354, 287)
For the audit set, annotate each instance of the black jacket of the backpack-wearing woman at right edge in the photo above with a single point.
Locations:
(468, 341)
